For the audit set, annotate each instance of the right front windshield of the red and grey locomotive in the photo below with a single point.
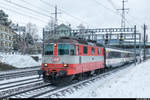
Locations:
(66, 49)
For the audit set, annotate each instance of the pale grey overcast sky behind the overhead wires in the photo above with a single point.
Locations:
(91, 13)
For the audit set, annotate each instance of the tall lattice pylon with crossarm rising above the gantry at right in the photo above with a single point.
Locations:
(123, 14)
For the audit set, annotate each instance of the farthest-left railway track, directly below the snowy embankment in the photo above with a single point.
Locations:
(19, 73)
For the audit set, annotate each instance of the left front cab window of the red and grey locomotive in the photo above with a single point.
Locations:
(48, 49)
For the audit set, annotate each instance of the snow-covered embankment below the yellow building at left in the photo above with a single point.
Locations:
(20, 61)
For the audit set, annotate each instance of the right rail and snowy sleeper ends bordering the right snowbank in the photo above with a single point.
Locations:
(61, 92)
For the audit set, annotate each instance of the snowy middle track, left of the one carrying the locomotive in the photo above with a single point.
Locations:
(11, 87)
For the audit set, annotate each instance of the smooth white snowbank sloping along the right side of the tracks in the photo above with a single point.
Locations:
(132, 82)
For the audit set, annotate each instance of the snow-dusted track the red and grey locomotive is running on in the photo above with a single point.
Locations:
(50, 91)
